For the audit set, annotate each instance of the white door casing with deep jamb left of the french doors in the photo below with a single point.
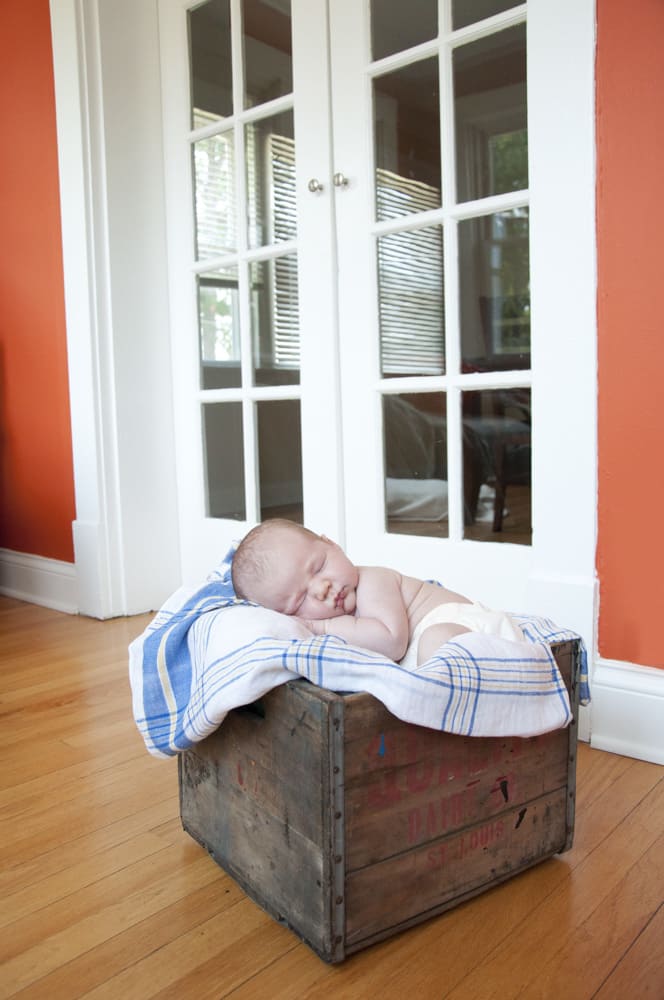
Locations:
(107, 89)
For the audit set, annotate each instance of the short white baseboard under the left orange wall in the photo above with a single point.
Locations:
(38, 580)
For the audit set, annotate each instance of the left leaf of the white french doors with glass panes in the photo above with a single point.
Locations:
(252, 264)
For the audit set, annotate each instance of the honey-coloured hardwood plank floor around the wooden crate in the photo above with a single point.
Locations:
(104, 896)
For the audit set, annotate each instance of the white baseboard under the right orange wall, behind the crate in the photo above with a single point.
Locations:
(627, 710)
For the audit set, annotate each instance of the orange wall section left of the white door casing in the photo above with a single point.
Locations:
(36, 474)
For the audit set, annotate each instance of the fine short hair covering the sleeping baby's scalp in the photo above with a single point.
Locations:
(260, 552)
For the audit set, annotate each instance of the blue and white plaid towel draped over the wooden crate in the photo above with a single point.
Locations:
(206, 652)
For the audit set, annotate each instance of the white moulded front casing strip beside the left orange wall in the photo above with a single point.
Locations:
(79, 125)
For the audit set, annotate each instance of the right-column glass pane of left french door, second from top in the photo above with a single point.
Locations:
(270, 157)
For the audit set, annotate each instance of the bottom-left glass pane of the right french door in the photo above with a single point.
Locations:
(415, 435)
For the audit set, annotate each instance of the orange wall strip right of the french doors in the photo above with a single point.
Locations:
(630, 204)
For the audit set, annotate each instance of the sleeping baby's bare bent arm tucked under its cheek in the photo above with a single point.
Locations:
(380, 622)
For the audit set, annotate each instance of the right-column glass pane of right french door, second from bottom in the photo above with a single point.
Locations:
(494, 292)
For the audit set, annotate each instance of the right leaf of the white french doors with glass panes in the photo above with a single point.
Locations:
(430, 129)
